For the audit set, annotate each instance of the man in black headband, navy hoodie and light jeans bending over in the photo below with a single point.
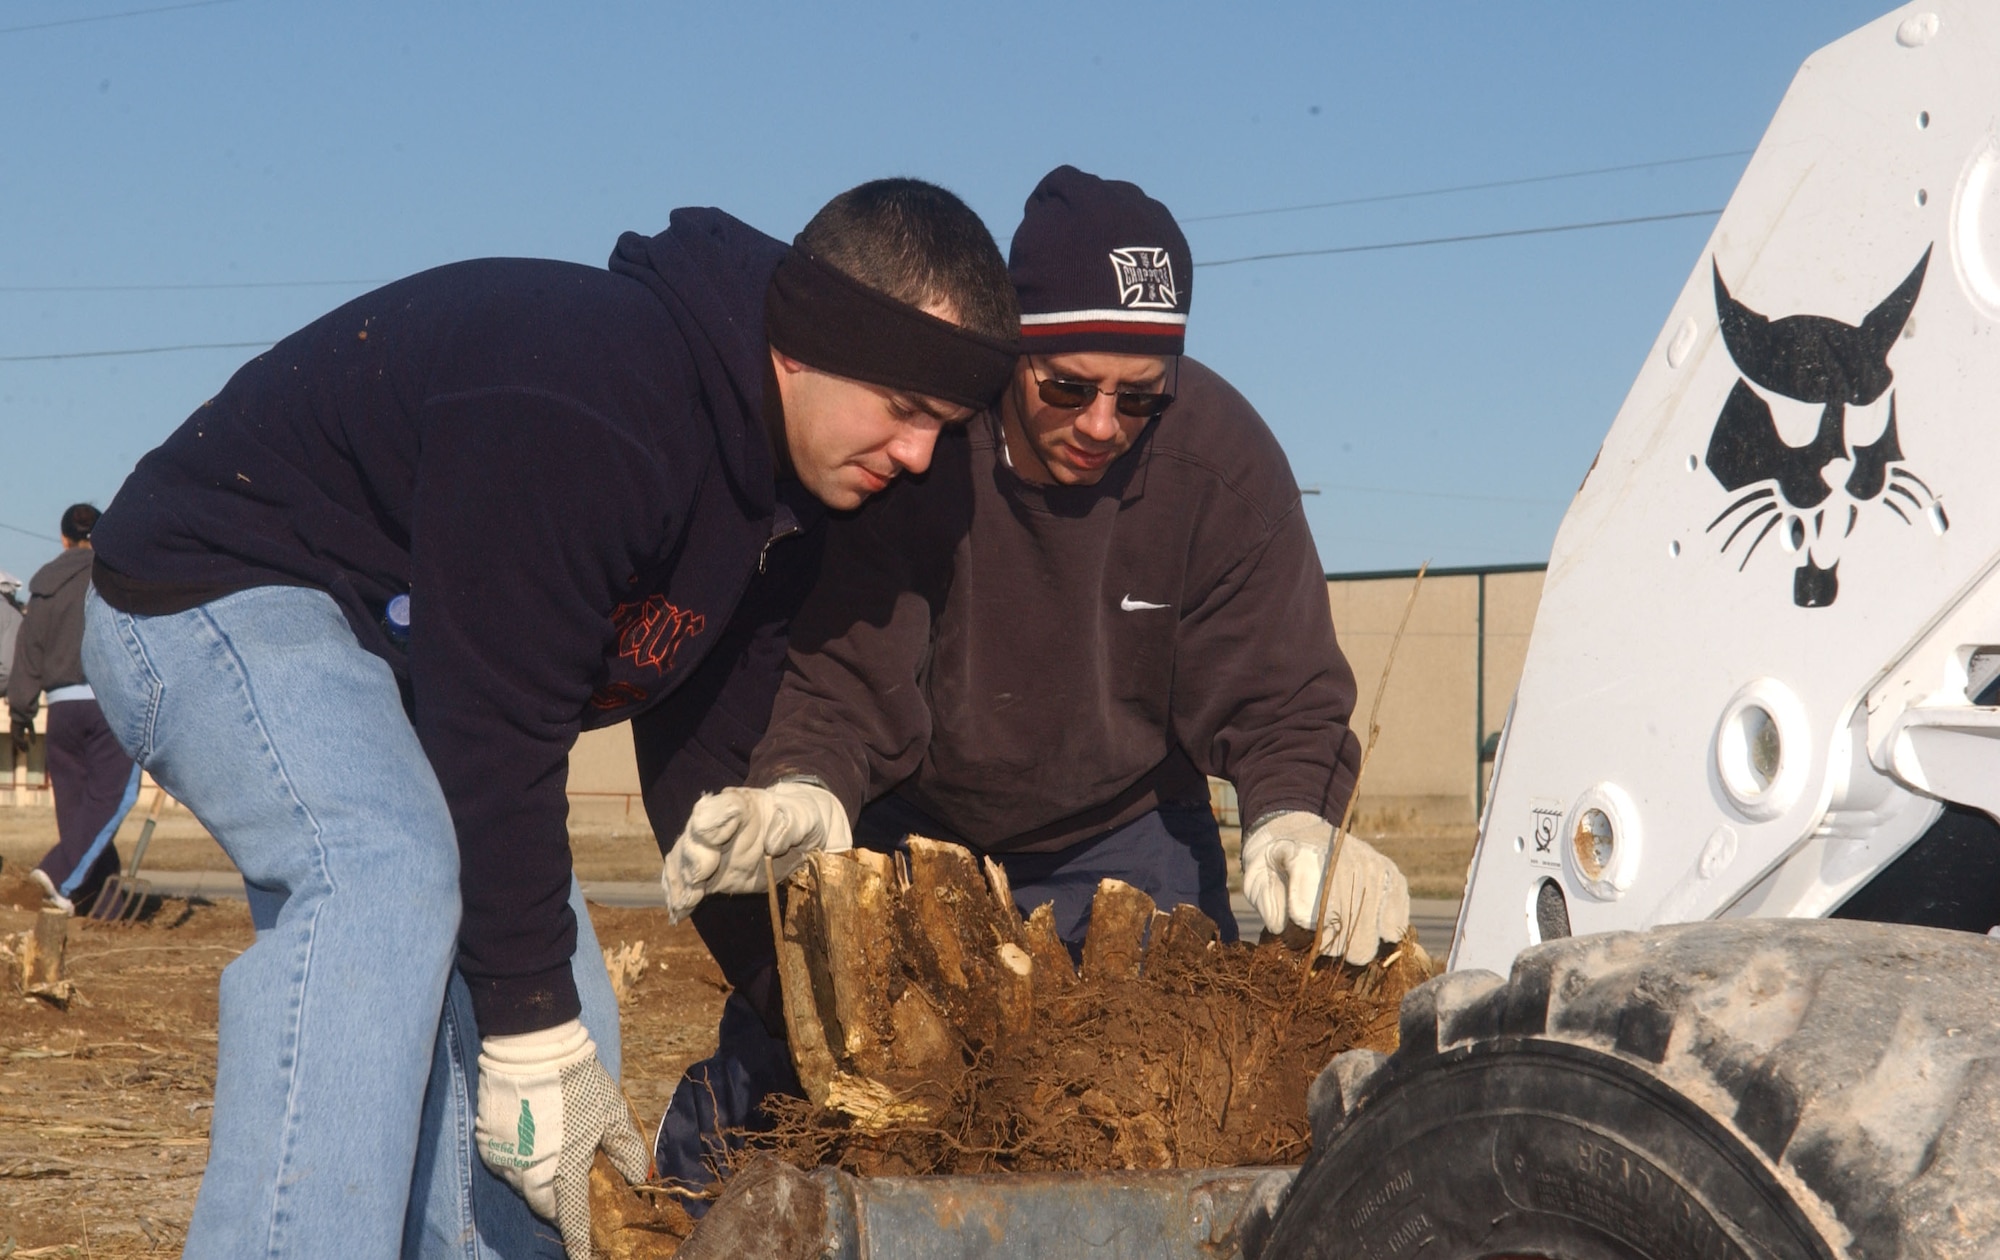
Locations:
(359, 607)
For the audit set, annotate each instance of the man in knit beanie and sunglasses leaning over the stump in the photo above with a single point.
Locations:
(1103, 593)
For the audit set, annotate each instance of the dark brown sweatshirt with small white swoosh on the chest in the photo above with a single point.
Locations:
(1035, 665)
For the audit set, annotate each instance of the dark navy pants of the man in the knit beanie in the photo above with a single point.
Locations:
(1175, 855)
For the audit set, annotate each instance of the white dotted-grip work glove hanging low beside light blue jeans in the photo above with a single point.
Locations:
(545, 1109)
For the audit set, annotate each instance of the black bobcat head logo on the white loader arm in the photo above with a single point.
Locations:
(1841, 369)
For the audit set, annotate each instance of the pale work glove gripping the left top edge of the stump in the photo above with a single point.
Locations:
(733, 831)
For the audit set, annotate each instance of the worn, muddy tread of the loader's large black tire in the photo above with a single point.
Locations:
(1863, 1061)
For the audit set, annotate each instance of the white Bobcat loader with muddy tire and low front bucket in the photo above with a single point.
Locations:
(1723, 983)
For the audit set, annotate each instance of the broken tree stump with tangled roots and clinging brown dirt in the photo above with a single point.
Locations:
(939, 1033)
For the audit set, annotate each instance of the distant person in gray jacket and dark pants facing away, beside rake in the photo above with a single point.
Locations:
(93, 777)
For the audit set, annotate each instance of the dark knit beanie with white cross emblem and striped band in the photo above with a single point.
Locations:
(1099, 267)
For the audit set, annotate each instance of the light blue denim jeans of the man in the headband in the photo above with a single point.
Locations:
(347, 1061)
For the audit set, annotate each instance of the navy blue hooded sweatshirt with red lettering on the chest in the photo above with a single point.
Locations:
(569, 473)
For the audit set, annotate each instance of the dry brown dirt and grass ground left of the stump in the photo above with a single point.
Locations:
(105, 1105)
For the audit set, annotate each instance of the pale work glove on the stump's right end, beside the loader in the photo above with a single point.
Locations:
(1367, 903)
